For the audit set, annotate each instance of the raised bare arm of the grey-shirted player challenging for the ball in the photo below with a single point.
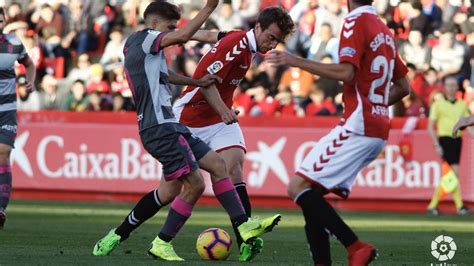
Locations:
(184, 34)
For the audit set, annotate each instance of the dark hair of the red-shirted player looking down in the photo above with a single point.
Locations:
(276, 15)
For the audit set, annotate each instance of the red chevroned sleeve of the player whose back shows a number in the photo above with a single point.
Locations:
(352, 41)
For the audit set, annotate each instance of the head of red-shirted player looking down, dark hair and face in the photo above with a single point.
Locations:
(273, 26)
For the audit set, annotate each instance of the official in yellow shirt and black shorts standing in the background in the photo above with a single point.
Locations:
(444, 113)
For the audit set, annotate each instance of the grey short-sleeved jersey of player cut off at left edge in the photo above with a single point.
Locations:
(11, 50)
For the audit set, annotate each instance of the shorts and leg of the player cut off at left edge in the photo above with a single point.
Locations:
(8, 123)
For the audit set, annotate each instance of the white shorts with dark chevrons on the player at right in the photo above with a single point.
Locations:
(335, 161)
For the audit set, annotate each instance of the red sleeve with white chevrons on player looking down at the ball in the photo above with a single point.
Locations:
(228, 51)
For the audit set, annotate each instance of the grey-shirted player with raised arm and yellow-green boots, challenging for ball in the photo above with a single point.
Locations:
(170, 142)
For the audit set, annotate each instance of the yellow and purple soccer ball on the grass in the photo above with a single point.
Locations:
(214, 244)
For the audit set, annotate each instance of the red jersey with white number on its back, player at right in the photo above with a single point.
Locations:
(367, 44)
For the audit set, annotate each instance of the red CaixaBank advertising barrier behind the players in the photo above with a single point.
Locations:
(99, 156)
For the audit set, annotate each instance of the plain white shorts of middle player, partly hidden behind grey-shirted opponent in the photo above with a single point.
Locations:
(221, 136)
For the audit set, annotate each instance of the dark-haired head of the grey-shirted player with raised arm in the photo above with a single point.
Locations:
(162, 16)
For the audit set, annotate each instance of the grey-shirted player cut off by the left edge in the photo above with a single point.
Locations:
(11, 50)
